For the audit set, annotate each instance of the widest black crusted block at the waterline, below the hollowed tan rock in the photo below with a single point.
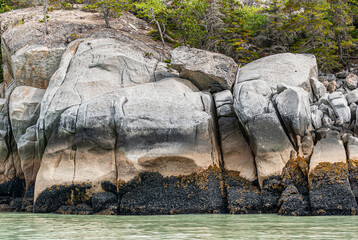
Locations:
(151, 193)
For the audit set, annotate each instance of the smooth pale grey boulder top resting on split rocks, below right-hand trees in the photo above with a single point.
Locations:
(287, 68)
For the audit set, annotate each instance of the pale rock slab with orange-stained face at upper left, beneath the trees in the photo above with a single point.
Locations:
(33, 57)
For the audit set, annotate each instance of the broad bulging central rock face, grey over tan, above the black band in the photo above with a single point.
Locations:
(165, 127)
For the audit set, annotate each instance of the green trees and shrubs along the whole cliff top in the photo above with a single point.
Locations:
(325, 28)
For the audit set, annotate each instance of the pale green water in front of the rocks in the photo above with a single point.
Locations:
(48, 226)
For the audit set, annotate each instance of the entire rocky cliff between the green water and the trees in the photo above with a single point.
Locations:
(106, 121)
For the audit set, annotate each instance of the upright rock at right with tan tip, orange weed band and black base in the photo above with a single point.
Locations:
(330, 190)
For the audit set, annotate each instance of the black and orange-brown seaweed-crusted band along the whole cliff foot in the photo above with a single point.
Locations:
(331, 189)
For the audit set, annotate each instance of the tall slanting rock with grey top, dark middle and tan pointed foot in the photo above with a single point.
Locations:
(268, 139)
